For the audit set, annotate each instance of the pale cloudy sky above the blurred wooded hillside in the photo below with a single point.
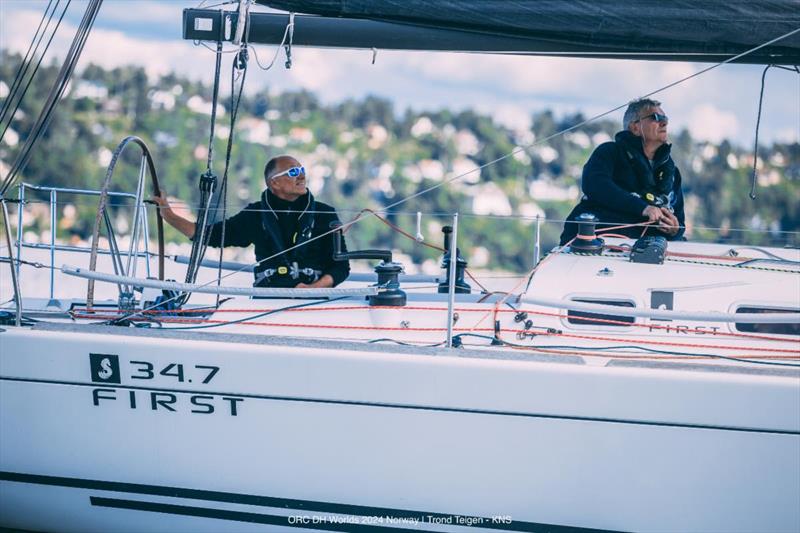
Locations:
(720, 104)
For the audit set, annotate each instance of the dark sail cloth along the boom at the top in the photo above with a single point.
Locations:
(674, 30)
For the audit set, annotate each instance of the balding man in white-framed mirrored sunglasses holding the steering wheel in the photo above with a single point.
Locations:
(286, 227)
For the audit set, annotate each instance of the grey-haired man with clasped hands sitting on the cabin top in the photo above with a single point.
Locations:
(633, 179)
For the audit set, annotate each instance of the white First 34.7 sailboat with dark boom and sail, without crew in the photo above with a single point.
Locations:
(626, 386)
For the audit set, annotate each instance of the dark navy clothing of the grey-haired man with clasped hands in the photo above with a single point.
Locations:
(618, 183)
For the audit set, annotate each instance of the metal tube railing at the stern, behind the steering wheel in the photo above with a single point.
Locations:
(52, 246)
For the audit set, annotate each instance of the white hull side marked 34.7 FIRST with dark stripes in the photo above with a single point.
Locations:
(322, 427)
